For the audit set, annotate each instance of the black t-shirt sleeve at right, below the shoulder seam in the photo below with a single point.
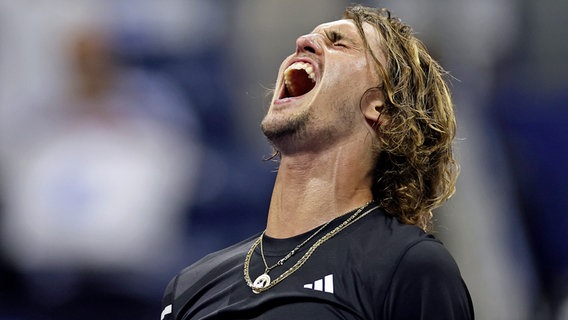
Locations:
(427, 285)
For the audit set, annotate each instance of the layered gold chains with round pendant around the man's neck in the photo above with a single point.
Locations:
(263, 282)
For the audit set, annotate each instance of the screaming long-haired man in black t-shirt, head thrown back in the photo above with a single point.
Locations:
(362, 121)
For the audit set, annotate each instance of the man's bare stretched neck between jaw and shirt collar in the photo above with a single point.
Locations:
(313, 188)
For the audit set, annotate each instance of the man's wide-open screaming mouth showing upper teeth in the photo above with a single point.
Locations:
(299, 79)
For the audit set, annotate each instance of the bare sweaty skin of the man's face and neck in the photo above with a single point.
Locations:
(324, 136)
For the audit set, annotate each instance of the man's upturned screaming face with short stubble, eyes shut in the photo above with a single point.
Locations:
(319, 88)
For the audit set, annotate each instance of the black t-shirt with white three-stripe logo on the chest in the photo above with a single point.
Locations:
(376, 268)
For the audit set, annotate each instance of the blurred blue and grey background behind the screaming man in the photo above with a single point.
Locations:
(130, 145)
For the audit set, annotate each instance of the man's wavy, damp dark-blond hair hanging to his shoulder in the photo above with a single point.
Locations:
(416, 171)
